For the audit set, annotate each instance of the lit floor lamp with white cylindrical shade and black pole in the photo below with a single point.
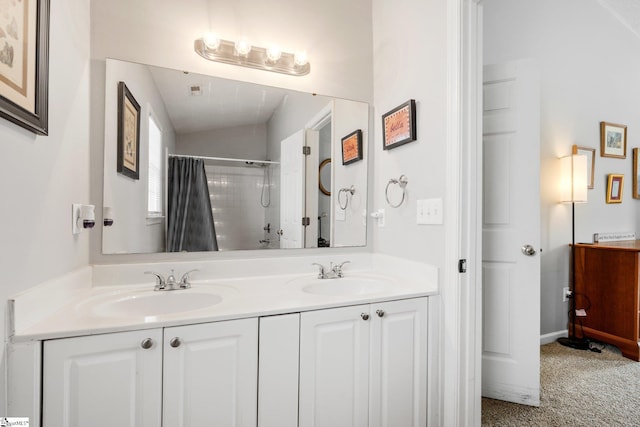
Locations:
(573, 190)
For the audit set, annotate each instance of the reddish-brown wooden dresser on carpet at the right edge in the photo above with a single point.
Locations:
(606, 286)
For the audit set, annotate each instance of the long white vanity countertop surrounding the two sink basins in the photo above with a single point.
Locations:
(78, 313)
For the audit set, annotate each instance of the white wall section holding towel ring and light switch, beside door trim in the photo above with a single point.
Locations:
(410, 67)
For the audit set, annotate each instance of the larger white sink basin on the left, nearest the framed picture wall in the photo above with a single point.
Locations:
(149, 304)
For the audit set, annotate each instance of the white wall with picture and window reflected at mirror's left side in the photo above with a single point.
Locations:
(132, 231)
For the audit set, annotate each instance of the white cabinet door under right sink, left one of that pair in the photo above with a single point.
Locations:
(334, 367)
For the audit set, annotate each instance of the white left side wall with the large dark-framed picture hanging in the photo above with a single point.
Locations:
(42, 176)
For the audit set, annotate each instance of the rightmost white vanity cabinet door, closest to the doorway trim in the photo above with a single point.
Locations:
(399, 364)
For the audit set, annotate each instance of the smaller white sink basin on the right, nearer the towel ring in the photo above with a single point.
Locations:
(346, 286)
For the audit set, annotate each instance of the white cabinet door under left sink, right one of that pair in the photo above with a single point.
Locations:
(211, 374)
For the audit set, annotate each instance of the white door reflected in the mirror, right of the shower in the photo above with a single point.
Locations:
(292, 191)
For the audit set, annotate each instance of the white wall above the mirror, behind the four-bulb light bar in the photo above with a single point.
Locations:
(336, 35)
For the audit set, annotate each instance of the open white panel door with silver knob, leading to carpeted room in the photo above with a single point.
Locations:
(511, 221)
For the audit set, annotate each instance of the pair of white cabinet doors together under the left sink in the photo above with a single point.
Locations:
(193, 375)
